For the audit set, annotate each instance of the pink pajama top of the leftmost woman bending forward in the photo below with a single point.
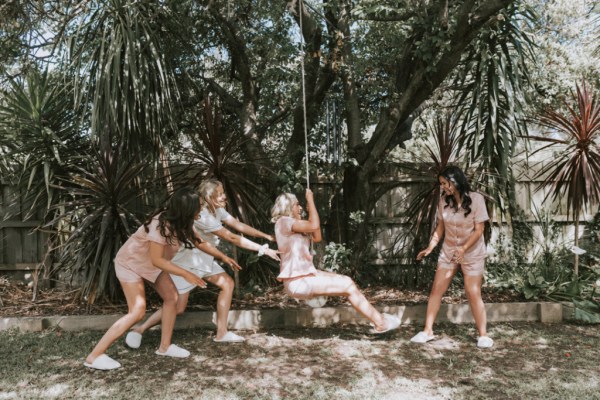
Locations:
(135, 253)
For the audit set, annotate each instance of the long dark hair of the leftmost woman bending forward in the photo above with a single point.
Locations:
(176, 217)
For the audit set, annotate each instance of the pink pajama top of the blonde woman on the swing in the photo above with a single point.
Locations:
(296, 259)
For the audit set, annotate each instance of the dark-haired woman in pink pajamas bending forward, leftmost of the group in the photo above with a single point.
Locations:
(147, 255)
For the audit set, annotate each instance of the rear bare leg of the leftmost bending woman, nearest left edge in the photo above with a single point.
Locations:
(136, 303)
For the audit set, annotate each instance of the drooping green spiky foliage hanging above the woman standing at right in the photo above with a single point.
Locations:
(492, 84)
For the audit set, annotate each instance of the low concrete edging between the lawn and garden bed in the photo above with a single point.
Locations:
(278, 318)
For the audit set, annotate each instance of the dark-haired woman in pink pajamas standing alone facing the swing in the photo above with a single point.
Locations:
(461, 217)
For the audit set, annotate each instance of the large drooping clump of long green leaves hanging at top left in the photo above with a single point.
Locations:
(116, 49)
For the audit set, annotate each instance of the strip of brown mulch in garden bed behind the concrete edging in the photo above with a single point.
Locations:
(16, 300)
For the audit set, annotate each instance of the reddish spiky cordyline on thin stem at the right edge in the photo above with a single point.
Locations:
(574, 173)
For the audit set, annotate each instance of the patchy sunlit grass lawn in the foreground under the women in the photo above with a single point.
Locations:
(529, 361)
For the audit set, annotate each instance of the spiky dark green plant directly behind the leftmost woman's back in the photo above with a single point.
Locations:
(105, 208)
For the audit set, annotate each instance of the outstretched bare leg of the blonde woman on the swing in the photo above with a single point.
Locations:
(331, 284)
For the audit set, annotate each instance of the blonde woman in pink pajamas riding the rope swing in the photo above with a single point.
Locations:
(300, 278)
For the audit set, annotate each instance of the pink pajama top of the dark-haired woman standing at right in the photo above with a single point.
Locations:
(458, 228)
